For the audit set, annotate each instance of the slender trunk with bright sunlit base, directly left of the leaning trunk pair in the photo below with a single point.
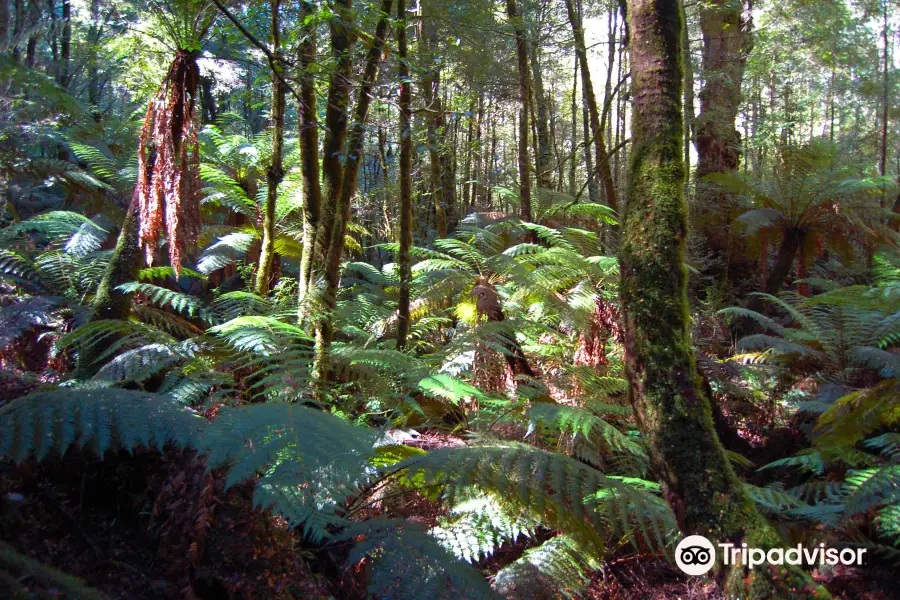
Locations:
(307, 123)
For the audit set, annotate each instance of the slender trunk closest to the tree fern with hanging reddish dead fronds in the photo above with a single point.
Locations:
(275, 171)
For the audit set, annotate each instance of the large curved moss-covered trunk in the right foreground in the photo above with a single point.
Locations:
(665, 389)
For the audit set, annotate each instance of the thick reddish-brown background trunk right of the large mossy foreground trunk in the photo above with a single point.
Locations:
(726, 42)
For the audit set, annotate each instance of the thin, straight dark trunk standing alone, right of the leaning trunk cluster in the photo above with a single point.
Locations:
(406, 216)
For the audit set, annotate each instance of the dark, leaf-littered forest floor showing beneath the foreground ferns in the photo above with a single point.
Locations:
(153, 526)
